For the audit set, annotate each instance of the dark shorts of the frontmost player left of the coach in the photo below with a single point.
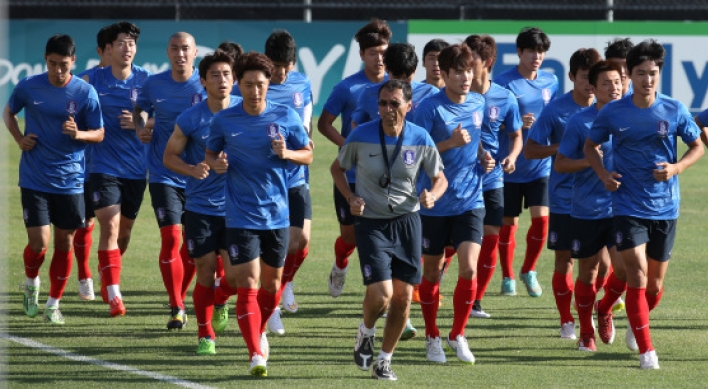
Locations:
(245, 245)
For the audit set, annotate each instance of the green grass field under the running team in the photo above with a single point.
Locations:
(518, 347)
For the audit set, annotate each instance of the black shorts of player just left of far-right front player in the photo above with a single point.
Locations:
(590, 236)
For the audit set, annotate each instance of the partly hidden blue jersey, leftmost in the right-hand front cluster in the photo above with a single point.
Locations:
(548, 130)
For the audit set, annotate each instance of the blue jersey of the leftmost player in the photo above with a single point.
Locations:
(56, 163)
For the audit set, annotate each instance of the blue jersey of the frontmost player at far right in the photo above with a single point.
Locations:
(642, 137)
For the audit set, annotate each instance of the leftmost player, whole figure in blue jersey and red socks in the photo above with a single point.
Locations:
(62, 115)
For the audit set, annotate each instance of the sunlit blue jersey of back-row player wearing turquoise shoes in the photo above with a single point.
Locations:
(533, 96)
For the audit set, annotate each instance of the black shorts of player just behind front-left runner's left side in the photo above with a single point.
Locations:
(205, 233)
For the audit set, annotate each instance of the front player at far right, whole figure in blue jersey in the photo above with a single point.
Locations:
(645, 127)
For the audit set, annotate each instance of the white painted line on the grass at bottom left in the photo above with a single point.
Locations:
(110, 365)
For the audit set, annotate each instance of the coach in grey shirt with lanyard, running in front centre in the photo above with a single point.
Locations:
(388, 226)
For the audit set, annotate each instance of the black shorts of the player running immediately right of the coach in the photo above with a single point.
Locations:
(441, 231)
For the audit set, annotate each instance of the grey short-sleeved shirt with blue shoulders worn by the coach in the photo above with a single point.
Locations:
(362, 150)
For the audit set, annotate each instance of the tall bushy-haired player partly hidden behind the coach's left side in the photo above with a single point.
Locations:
(373, 40)
